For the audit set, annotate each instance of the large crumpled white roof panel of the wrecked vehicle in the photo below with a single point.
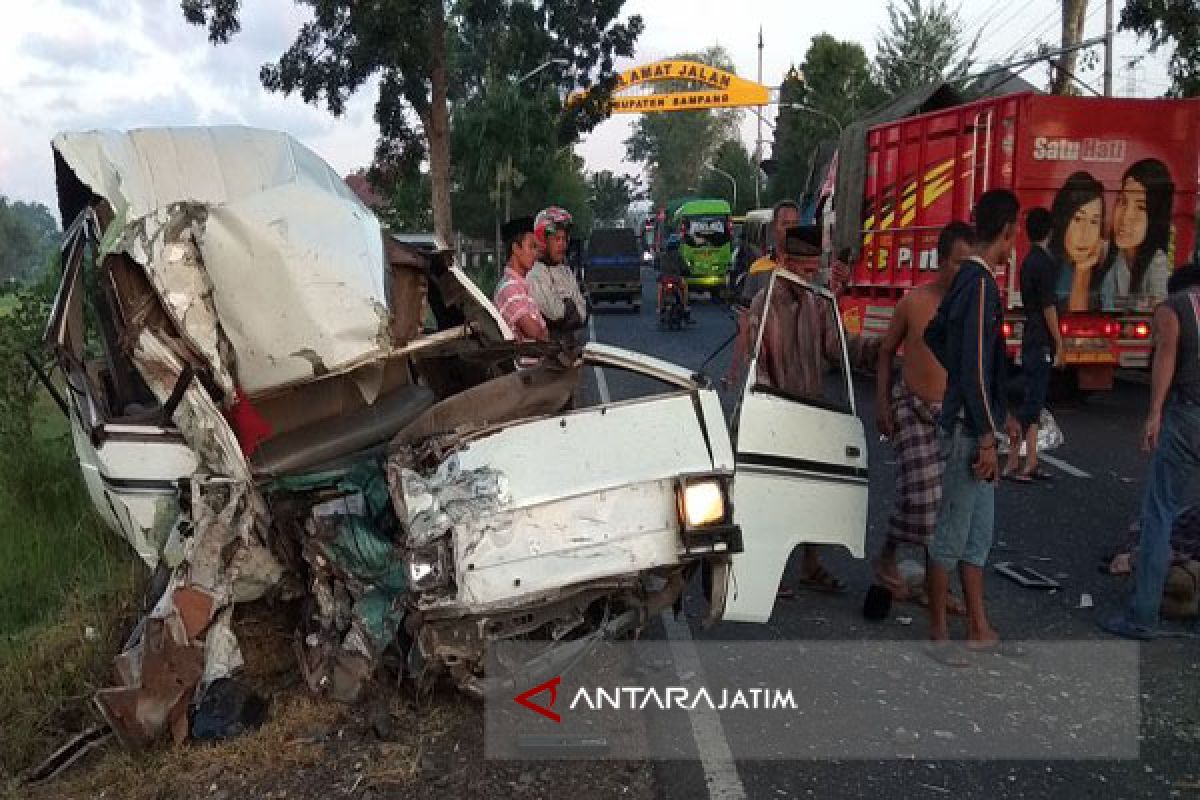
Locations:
(281, 225)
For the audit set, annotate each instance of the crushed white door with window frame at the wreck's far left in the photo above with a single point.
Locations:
(130, 452)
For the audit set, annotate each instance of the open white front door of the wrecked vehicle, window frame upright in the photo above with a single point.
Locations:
(801, 450)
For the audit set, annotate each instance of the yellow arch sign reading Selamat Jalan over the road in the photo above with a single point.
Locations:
(722, 89)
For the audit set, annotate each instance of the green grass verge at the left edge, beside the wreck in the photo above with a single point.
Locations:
(68, 597)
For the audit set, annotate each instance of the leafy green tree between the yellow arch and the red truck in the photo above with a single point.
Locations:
(836, 80)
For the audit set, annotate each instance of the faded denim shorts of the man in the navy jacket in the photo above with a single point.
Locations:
(968, 514)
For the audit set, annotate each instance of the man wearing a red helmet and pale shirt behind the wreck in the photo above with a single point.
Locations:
(551, 282)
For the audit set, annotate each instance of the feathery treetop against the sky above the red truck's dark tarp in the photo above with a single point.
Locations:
(922, 44)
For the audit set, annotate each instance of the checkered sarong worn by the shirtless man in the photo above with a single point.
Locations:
(919, 468)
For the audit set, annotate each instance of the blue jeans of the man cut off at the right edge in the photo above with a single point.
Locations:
(1172, 468)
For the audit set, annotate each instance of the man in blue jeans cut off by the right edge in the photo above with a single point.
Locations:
(1173, 435)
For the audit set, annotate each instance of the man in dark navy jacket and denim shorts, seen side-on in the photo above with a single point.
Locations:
(965, 335)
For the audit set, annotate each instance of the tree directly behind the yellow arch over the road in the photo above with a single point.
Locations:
(676, 146)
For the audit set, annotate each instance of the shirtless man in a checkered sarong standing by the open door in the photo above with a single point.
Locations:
(907, 413)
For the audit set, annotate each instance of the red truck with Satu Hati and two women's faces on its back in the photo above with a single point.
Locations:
(1119, 176)
